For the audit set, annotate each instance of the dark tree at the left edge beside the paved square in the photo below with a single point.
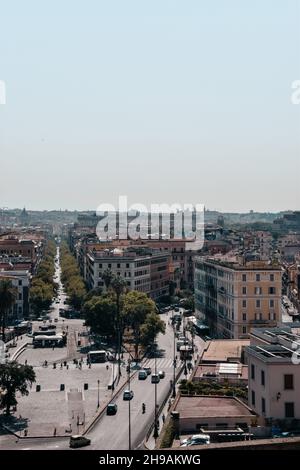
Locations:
(14, 377)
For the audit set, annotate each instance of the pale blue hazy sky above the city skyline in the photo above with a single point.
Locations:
(183, 101)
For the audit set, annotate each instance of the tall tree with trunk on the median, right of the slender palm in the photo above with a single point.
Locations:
(137, 307)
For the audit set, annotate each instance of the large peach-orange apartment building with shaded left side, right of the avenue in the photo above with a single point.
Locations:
(232, 296)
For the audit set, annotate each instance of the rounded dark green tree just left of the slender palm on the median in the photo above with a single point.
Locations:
(100, 314)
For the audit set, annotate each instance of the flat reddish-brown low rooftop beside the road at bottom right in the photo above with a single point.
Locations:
(204, 406)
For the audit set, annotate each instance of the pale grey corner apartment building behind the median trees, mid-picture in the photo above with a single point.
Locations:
(143, 270)
